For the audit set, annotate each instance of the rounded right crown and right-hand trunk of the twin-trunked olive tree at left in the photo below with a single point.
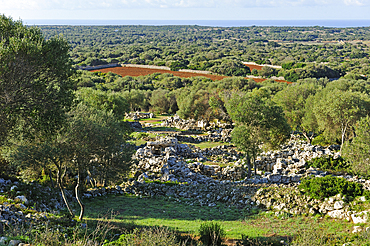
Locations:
(95, 140)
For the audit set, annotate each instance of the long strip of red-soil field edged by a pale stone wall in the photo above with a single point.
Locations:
(136, 71)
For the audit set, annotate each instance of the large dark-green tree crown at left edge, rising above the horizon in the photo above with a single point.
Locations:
(35, 85)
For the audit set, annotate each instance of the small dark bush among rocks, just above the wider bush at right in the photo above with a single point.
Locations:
(329, 163)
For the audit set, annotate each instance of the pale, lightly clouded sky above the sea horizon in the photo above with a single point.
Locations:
(186, 9)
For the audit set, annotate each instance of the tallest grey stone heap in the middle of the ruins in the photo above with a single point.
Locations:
(167, 160)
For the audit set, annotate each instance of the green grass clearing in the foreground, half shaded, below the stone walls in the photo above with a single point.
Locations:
(186, 218)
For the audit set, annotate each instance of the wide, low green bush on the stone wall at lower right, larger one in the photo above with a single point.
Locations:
(320, 188)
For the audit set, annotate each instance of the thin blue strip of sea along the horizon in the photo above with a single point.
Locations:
(214, 23)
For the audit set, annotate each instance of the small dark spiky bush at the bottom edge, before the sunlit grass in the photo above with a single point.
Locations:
(211, 234)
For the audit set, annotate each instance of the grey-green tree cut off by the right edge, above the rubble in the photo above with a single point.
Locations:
(357, 152)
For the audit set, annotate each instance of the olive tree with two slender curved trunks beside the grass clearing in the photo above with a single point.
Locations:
(91, 143)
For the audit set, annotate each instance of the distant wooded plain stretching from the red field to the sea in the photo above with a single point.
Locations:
(222, 50)
